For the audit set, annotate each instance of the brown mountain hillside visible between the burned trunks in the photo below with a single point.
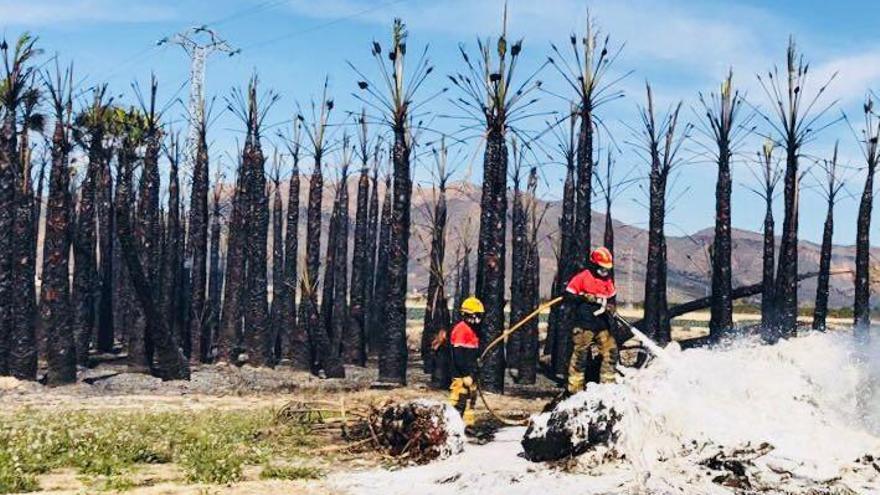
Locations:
(688, 263)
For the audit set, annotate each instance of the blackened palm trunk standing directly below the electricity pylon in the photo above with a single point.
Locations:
(197, 246)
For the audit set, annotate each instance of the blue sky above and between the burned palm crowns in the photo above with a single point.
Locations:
(681, 47)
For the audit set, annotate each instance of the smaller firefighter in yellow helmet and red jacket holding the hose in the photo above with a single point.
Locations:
(465, 342)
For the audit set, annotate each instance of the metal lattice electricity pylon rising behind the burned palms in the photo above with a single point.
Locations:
(199, 43)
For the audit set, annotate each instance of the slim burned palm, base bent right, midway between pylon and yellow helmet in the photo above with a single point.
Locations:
(322, 356)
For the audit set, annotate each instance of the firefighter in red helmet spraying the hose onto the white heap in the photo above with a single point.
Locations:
(587, 296)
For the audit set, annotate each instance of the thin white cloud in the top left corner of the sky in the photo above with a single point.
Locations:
(45, 12)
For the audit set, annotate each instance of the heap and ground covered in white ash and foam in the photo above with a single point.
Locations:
(798, 417)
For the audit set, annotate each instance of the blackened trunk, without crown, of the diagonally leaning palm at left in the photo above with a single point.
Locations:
(171, 364)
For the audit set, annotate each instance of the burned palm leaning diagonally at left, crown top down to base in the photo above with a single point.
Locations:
(171, 364)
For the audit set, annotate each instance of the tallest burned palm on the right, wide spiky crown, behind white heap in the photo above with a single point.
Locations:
(794, 123)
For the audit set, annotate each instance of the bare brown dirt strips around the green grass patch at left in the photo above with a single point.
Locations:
(217, 387)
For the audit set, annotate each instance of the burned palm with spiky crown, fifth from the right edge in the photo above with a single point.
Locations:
(722, 125)
